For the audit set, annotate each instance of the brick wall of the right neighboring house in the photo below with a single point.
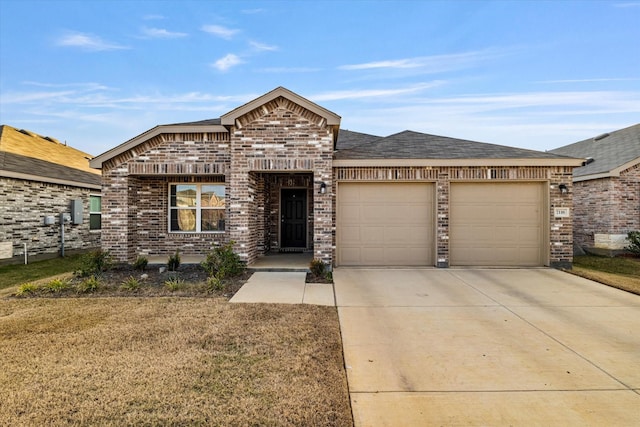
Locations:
(607, 207)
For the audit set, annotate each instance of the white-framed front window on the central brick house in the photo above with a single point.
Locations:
(196, 207)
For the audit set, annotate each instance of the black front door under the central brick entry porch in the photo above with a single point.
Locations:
(294, 218)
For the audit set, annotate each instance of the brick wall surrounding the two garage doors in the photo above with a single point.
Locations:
(560, 229)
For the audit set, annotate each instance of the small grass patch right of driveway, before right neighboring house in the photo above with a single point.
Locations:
(619, 272)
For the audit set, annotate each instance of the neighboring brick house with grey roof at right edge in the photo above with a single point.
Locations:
(606, 188)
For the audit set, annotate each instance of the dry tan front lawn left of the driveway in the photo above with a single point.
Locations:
(170, 361)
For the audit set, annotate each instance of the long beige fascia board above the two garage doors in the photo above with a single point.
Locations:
(456, 162)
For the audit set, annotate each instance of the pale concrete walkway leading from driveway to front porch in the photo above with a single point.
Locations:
(283, 288)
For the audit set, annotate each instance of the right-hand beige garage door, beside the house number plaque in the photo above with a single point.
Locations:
(497, 224)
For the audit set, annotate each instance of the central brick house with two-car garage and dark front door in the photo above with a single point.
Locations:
(278, 174)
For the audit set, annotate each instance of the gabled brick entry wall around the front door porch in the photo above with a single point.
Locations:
(279, 137)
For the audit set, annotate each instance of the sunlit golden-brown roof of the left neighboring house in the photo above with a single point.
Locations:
(27, 155)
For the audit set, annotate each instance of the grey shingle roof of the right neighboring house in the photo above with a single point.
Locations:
(611, 153)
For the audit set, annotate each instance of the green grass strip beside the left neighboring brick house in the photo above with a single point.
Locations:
(11, 275)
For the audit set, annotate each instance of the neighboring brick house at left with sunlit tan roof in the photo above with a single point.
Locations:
(41, 178)
